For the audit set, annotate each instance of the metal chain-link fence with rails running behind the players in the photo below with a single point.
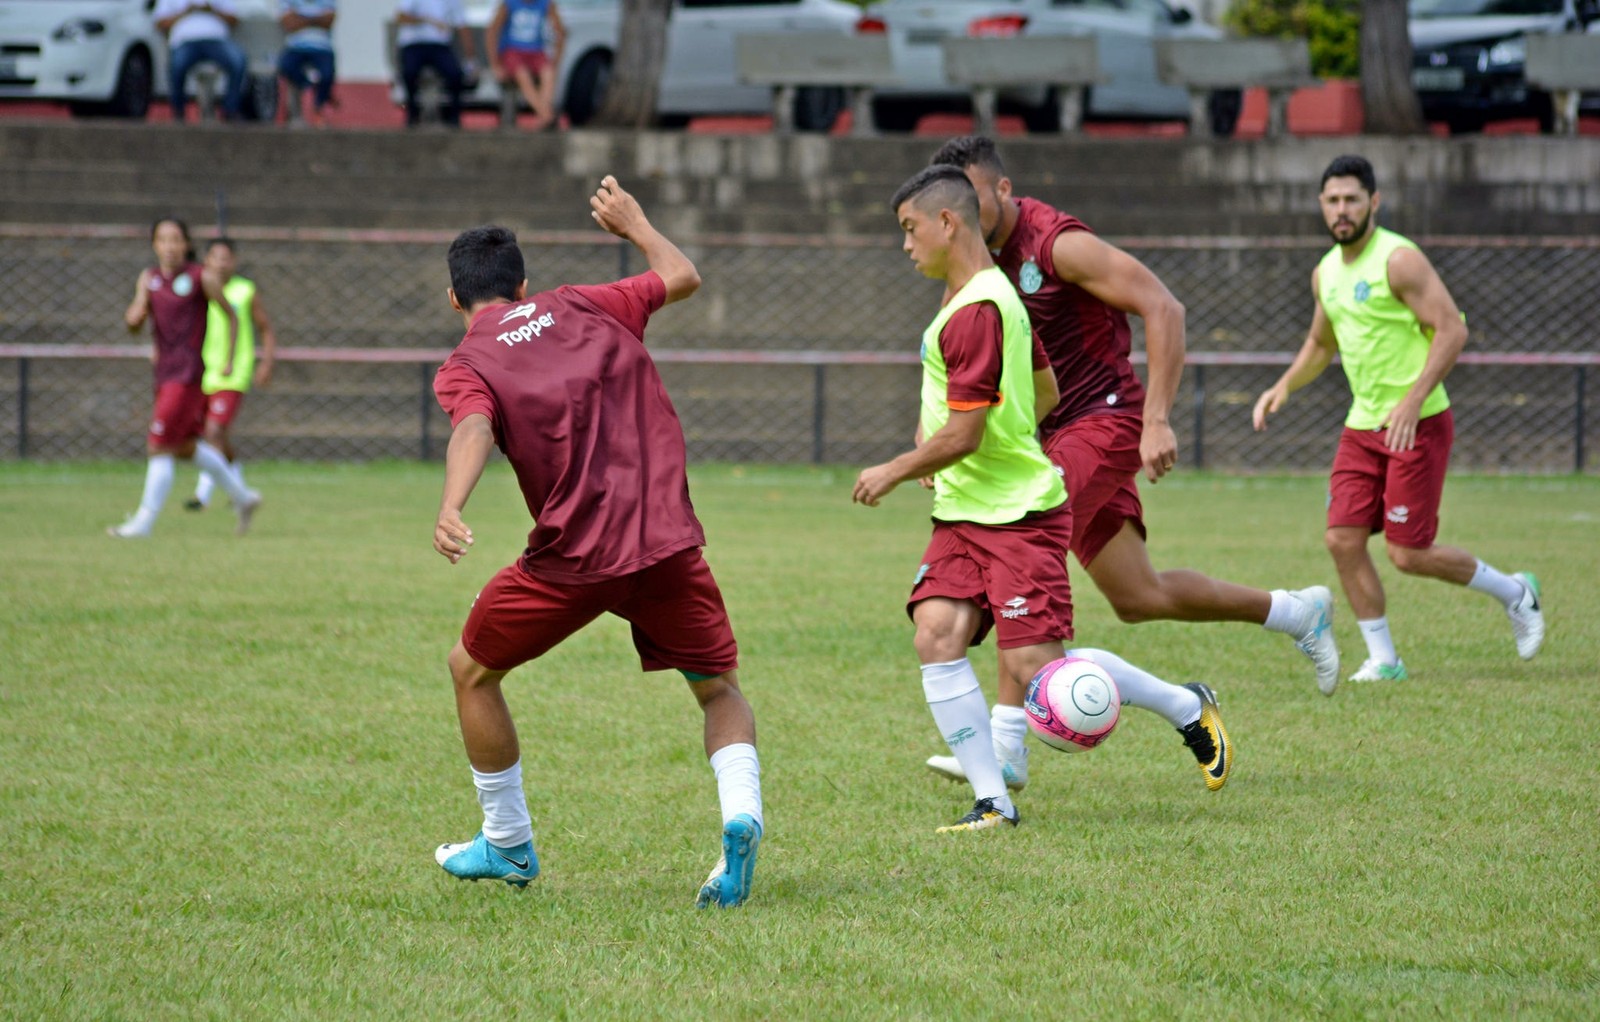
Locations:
(796, 349)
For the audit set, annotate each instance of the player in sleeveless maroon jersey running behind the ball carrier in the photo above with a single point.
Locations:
(1079, 292)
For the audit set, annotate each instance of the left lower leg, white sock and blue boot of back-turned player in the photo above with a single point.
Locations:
(503, 850)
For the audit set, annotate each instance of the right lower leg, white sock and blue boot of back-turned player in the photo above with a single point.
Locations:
(730, 746)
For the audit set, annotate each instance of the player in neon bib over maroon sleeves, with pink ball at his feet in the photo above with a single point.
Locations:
(1002, 525)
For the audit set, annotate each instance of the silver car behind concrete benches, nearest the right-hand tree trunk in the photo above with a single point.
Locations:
(1126, 33)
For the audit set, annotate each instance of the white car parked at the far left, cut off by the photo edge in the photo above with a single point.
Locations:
(102, 57)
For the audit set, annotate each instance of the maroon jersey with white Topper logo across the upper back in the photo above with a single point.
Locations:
(580, 412)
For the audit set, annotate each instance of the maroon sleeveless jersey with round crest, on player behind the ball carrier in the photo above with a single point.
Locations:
(1087, 340)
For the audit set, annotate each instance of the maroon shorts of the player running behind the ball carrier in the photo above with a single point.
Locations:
(1100, 461)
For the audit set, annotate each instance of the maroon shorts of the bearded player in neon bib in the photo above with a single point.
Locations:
(1396, 492)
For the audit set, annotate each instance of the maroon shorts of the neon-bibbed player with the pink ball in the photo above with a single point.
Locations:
(1015, 573)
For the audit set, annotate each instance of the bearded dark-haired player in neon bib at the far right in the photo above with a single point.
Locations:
(1382, 306)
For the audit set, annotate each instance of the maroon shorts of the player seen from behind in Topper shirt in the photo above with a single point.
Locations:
(674, 605)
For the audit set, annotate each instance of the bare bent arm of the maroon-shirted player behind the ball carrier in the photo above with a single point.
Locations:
(1122, 282)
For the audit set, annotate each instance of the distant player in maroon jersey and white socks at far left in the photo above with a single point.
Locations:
(174, 297)
